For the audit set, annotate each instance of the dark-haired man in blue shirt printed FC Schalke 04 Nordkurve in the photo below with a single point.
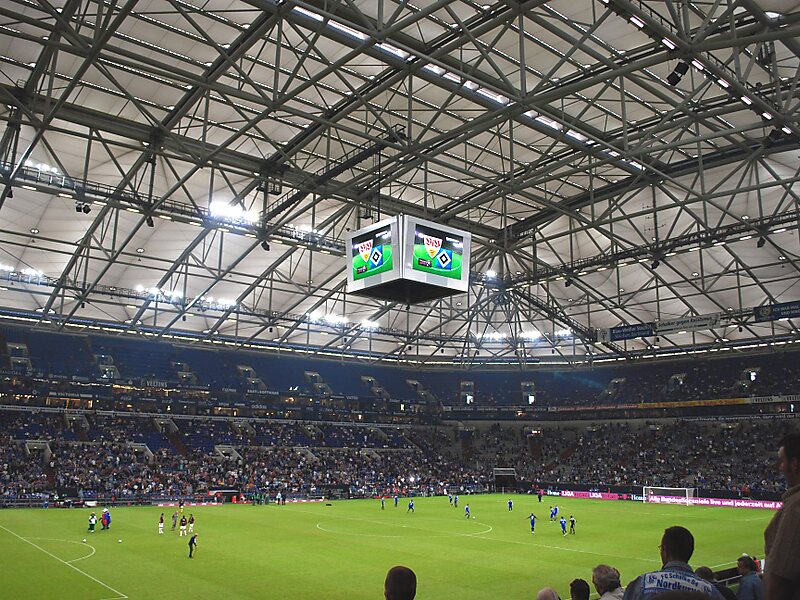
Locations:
(677, 547)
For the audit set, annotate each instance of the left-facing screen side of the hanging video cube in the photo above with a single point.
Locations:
(373, 255)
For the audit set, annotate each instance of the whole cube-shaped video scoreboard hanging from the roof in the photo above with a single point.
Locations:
(406, 259)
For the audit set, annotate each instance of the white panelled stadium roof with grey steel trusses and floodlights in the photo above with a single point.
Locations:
(191, 170)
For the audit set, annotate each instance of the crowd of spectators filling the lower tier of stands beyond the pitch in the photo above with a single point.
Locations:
(130, 456)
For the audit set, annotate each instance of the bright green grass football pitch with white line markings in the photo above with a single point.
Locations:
(312, 551)
